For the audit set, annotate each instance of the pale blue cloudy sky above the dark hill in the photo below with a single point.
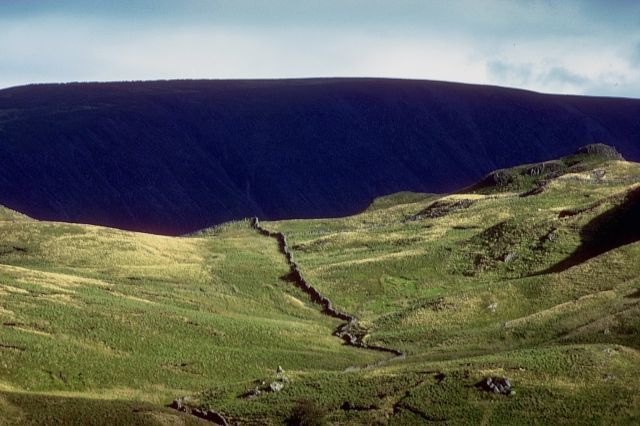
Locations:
(555, 46)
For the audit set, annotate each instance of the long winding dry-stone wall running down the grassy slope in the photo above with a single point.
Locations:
(347, 331)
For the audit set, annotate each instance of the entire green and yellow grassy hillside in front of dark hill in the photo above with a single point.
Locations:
(108, 326)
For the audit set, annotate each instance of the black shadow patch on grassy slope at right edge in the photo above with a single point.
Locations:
(616, 227)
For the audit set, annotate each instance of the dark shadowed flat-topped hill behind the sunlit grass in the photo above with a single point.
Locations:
(175, 156)
